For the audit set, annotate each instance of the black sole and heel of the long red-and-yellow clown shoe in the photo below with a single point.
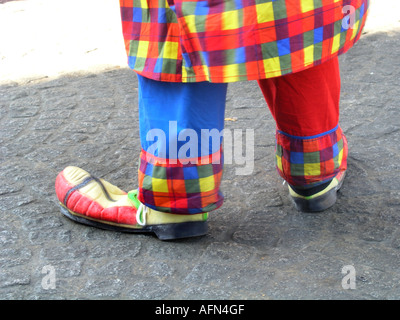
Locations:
(170, 231)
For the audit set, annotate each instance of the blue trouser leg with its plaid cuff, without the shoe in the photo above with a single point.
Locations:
(181, 170)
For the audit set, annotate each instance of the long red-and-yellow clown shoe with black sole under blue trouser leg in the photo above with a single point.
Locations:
(92, 201)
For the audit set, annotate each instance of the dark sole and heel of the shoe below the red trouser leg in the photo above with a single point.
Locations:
(320, 203)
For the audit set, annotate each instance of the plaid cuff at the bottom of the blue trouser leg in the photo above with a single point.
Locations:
(187, 188)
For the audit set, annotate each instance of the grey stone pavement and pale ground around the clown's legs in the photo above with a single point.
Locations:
(258, 245)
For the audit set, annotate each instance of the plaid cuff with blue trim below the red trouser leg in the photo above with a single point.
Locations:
(304, 161)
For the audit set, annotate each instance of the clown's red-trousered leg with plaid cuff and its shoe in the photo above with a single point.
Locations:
(311, 151)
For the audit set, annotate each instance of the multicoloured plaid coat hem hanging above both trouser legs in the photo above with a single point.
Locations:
(235, 40)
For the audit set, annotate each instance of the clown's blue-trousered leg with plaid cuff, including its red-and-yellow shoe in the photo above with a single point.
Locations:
(178, 179)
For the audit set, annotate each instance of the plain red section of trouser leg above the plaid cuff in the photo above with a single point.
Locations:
(305, 103)
